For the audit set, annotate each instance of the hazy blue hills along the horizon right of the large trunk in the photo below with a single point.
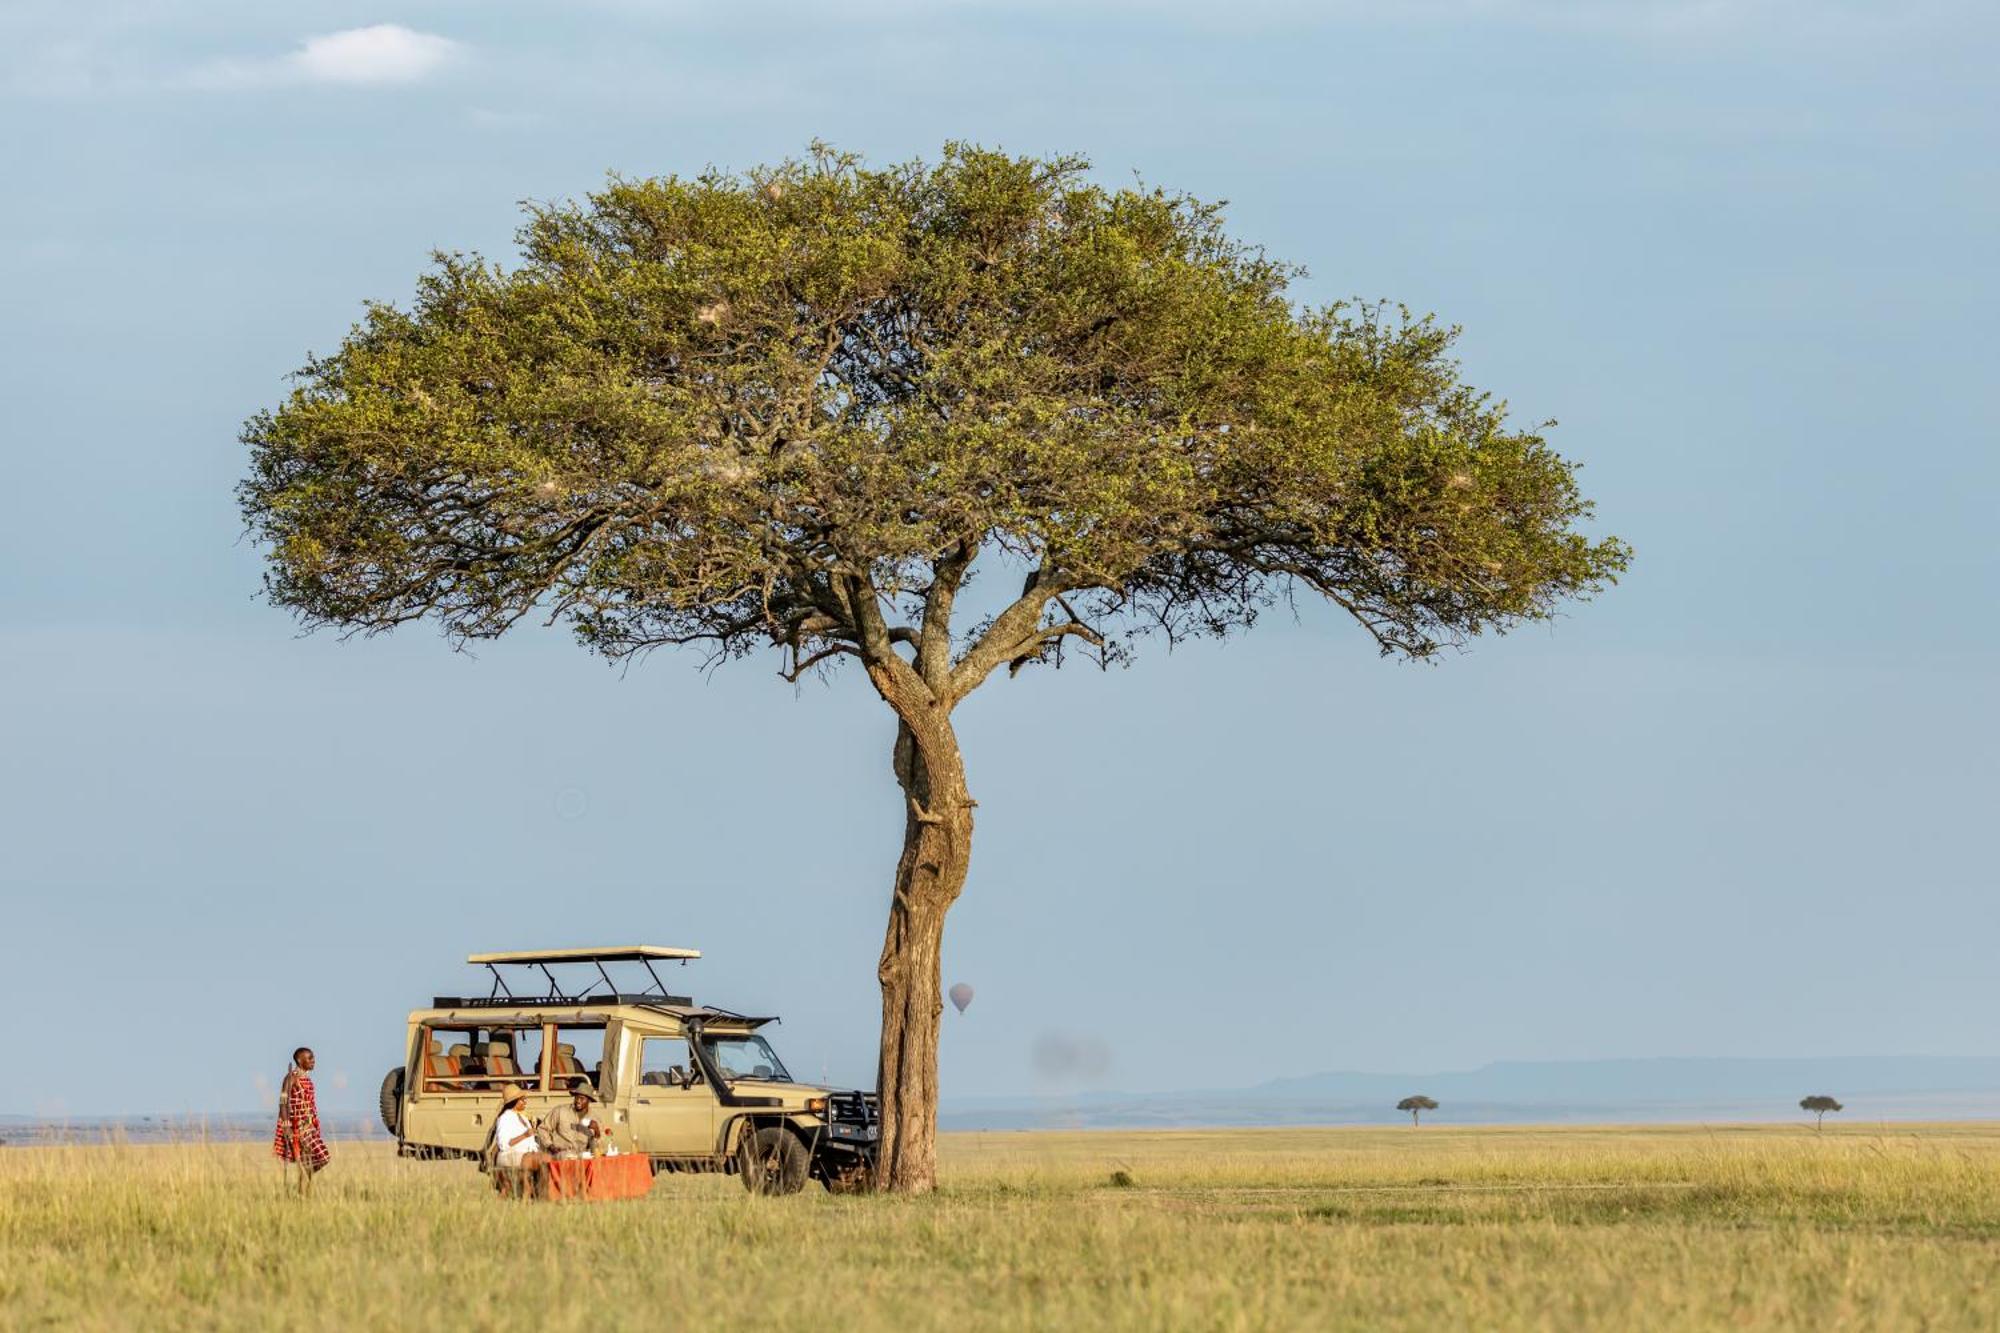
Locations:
(1895, 1088)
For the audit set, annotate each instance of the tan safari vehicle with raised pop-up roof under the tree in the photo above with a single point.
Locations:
(689, 1086)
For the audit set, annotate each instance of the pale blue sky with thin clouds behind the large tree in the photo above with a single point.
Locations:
(1741, 806)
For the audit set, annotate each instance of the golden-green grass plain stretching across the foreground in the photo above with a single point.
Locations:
(1673, 1228)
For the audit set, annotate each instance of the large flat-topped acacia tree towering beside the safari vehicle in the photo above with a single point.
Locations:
(801, 409)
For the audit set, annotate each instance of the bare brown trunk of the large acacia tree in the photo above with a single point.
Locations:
(937, 848)
